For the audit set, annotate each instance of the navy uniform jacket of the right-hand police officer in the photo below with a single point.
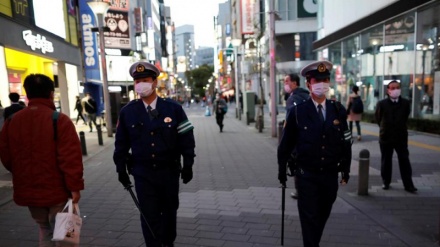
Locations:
(318, 147)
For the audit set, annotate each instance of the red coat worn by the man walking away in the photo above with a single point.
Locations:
(44, 172)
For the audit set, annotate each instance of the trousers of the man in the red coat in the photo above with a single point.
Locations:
(45, 218)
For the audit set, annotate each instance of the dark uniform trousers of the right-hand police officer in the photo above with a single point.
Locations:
(316, 194)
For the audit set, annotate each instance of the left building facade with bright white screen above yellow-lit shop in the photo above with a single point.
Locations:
(37, 39)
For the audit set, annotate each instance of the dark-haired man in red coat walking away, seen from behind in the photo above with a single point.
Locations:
(43, 155)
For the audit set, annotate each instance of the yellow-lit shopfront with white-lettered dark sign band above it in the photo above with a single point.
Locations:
(25, 50)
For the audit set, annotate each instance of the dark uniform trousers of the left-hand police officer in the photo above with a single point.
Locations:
(158, 195)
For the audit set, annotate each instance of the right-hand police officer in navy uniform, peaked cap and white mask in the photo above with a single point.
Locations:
(317, 129)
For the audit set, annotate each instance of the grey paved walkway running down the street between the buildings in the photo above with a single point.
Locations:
(234, 198)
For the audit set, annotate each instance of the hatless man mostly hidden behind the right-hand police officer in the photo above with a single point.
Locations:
(296, 96)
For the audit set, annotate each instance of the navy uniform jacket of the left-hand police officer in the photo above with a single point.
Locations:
(154, 143)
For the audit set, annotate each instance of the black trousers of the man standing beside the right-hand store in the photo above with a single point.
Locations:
(386, 168)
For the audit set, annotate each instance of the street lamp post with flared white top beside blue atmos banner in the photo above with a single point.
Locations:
(99, 8)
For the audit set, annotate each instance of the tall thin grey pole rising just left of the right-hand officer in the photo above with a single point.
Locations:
(272, 68)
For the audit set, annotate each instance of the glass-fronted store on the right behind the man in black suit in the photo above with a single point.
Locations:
(403, 46)
